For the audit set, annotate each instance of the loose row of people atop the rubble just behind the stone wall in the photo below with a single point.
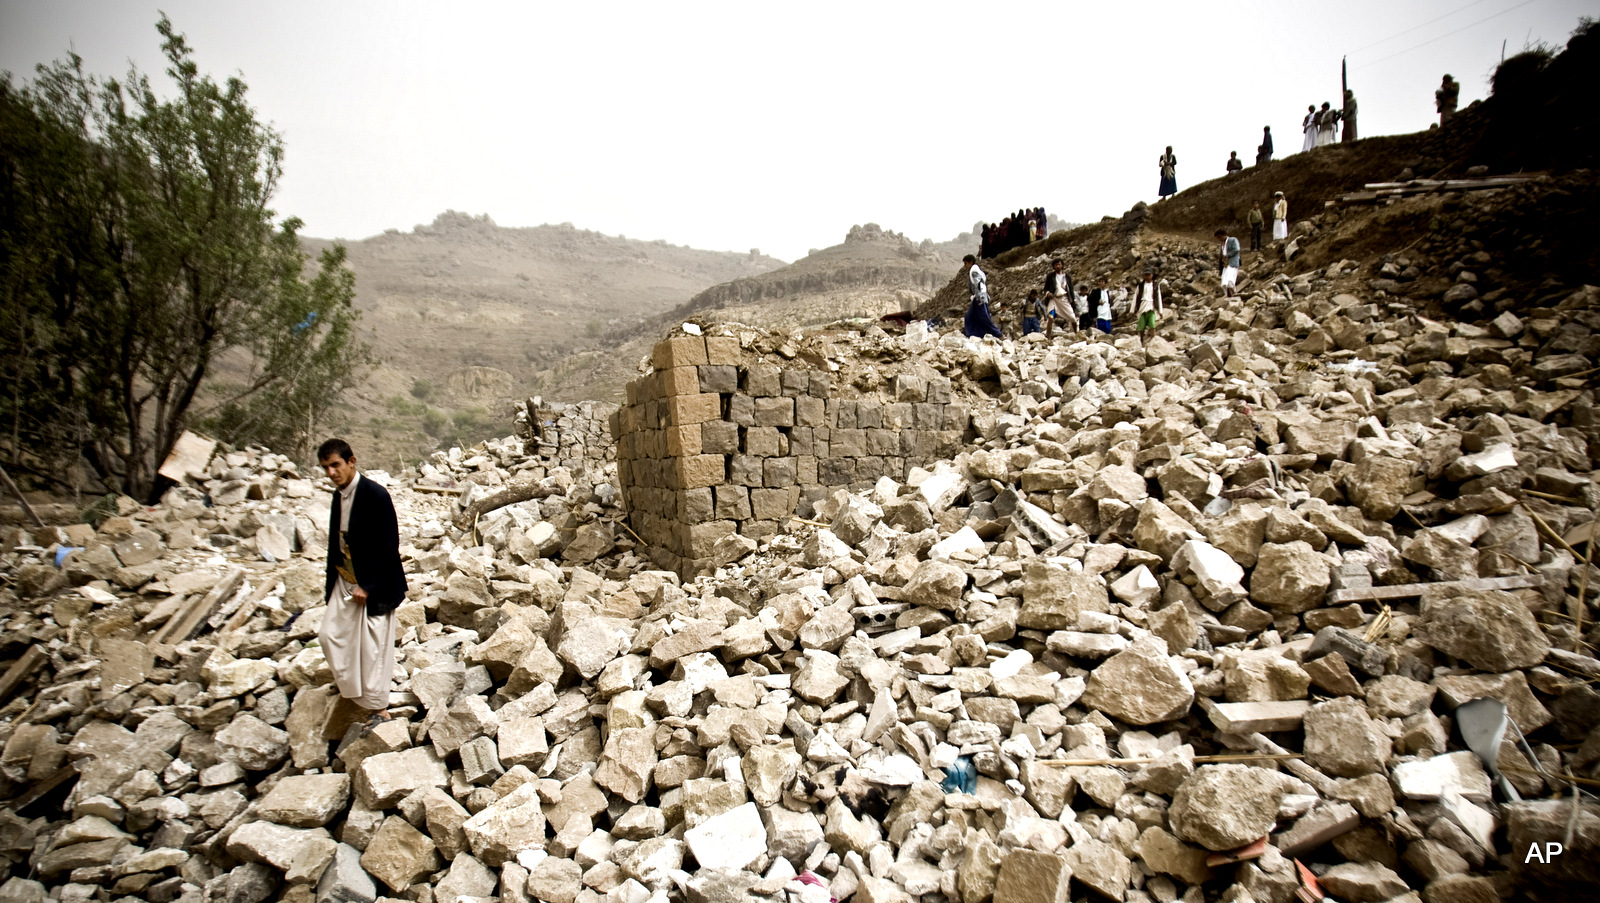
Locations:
(1076, 307)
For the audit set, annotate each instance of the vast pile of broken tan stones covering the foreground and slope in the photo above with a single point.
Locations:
(1183, 622)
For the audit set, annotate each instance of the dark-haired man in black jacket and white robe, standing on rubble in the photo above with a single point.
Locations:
(366, 584)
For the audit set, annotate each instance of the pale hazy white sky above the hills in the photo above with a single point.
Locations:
(738, 126)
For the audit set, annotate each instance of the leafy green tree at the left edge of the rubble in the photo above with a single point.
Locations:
(138, 252)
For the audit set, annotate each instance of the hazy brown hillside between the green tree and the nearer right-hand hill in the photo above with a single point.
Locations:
(466, 294)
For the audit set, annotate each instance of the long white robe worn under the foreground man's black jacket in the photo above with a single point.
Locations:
(361, 649)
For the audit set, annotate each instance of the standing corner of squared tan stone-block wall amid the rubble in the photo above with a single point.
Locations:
(716, 441)
